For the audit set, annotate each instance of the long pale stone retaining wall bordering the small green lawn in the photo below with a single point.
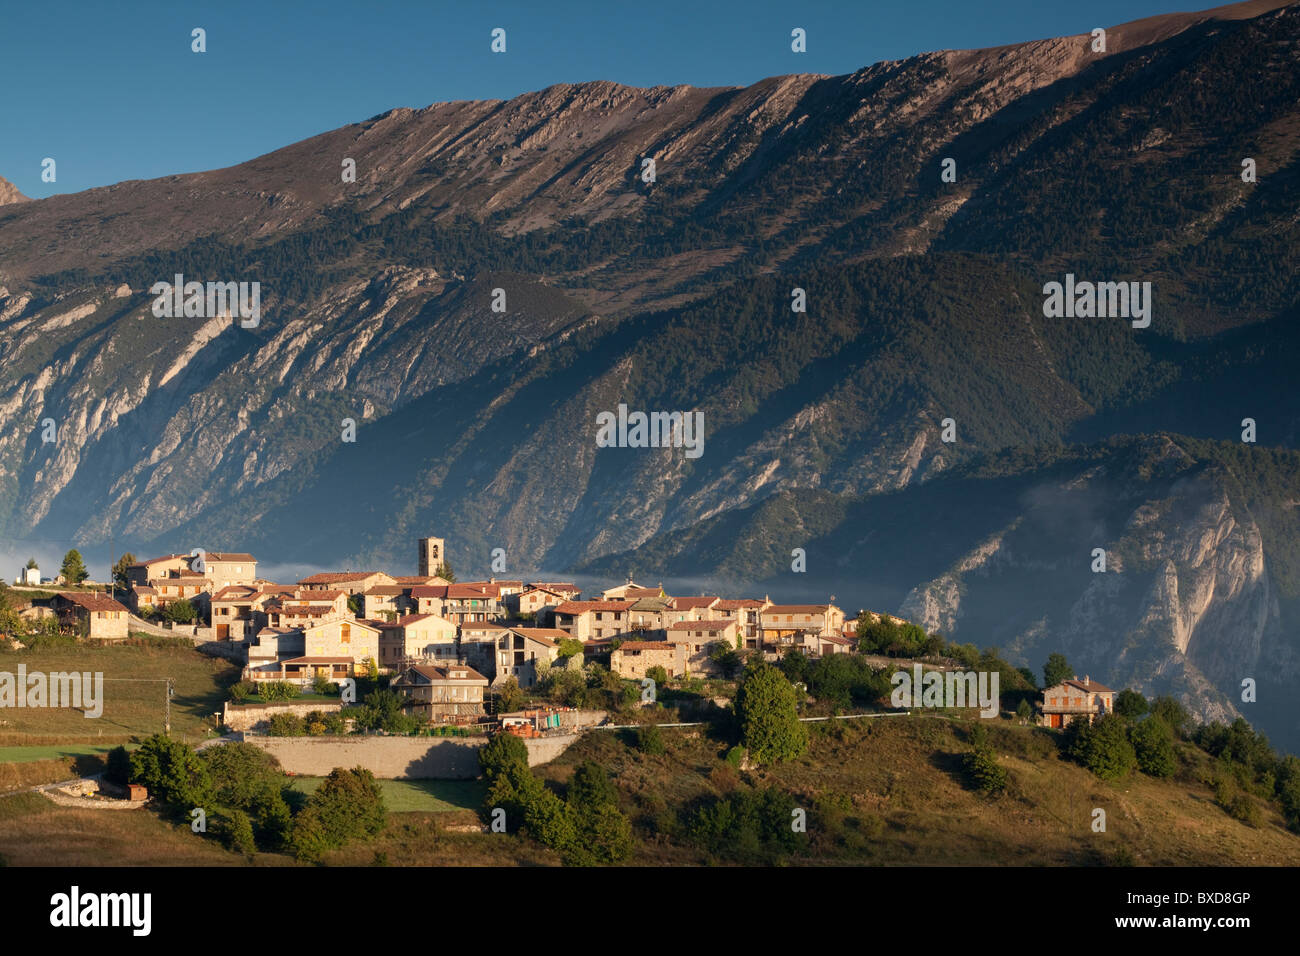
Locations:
(430, 759)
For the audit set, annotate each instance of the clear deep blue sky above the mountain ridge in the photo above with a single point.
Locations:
(112, 90)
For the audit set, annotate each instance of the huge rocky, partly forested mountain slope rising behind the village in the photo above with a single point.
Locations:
(925, 302)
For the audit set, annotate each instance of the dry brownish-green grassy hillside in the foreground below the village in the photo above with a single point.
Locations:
(909, 807)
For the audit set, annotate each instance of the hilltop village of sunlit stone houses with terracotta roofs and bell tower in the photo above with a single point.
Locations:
(445, 644)
